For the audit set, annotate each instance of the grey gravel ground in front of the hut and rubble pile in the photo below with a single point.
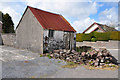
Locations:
(18, 63)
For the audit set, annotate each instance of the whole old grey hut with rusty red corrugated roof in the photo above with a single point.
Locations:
(41, 31)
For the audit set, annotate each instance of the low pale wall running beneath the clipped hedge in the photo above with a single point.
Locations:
(111, 44)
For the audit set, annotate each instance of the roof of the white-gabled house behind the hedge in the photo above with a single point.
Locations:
(104, 28)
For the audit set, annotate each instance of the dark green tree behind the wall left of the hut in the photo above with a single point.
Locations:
(8, 25)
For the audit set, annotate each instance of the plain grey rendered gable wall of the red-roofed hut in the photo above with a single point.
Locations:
(29, 34)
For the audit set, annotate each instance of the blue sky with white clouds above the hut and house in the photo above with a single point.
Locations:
(80, 13)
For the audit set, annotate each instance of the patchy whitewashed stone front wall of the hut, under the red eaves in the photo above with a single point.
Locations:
(60, 40)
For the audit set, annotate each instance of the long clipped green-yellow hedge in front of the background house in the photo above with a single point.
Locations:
(99, 36)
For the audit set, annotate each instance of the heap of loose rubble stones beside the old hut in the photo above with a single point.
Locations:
(90, 57)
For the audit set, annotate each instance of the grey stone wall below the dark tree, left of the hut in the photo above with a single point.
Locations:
(9, 39)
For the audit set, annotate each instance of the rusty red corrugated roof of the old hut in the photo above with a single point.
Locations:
(51, 21)
